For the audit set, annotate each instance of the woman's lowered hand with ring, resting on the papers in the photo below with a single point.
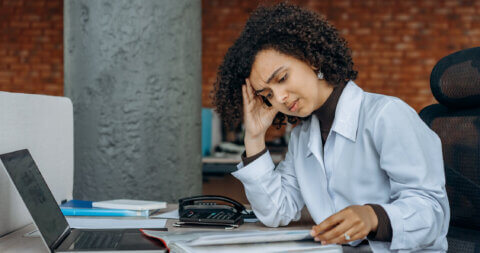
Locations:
(350, 224)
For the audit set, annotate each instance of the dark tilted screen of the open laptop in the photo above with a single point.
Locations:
(35, 194)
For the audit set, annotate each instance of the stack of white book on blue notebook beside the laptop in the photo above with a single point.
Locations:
(117, 207)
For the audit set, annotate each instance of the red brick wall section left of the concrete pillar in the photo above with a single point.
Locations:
(31, 46)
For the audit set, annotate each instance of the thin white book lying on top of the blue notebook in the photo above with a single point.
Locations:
(130, 204)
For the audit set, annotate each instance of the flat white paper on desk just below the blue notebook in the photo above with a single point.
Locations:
(92, 223)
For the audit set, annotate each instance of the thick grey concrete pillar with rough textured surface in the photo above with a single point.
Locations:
(133, 72)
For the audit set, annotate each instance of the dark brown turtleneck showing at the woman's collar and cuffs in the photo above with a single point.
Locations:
(326, 115)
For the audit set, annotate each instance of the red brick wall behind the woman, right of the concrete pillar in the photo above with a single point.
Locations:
(395, 43)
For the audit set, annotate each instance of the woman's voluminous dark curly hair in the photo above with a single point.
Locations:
(290, 30)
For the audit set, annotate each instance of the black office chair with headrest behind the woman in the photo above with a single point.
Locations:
(455, 83)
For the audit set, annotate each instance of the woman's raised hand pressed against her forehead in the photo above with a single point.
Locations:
(257, 117)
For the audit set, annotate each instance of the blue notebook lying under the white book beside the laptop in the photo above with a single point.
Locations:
(84, 208)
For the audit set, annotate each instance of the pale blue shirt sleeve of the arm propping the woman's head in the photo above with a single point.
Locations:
(273, 193)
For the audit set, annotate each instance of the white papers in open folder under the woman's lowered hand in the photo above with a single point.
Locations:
(241, 241)
